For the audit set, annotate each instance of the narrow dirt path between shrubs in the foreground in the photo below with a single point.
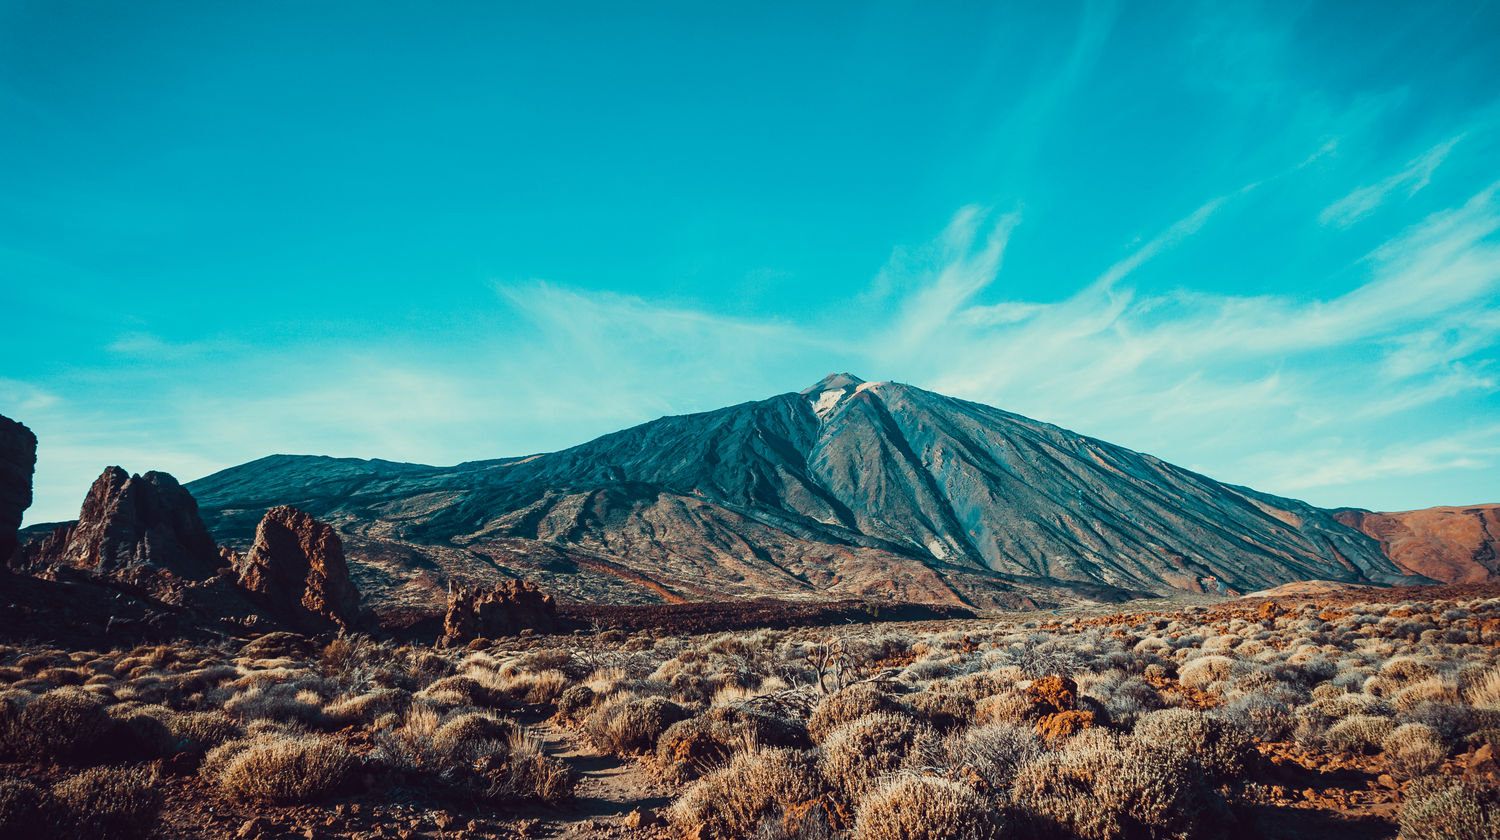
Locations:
(610, 788)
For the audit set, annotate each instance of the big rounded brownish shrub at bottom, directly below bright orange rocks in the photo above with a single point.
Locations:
(1096, 790)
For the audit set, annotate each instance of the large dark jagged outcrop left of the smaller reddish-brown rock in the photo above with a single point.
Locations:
(133, 529)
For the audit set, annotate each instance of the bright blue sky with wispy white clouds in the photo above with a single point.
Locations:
(1258, 241)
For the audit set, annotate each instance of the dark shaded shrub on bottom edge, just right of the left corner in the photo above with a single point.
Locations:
(109, 803)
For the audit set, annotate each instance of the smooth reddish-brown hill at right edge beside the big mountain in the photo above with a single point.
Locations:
(1454, 545)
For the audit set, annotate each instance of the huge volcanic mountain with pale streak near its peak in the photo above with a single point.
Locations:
(860, 488)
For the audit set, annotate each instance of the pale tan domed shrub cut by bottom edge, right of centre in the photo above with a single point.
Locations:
(919, 808)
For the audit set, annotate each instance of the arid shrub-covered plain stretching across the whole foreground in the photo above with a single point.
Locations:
(1358, 715)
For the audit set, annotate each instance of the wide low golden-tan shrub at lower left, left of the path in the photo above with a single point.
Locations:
(281, 770)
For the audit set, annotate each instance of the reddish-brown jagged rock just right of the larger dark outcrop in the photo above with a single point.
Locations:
(296, 571)
